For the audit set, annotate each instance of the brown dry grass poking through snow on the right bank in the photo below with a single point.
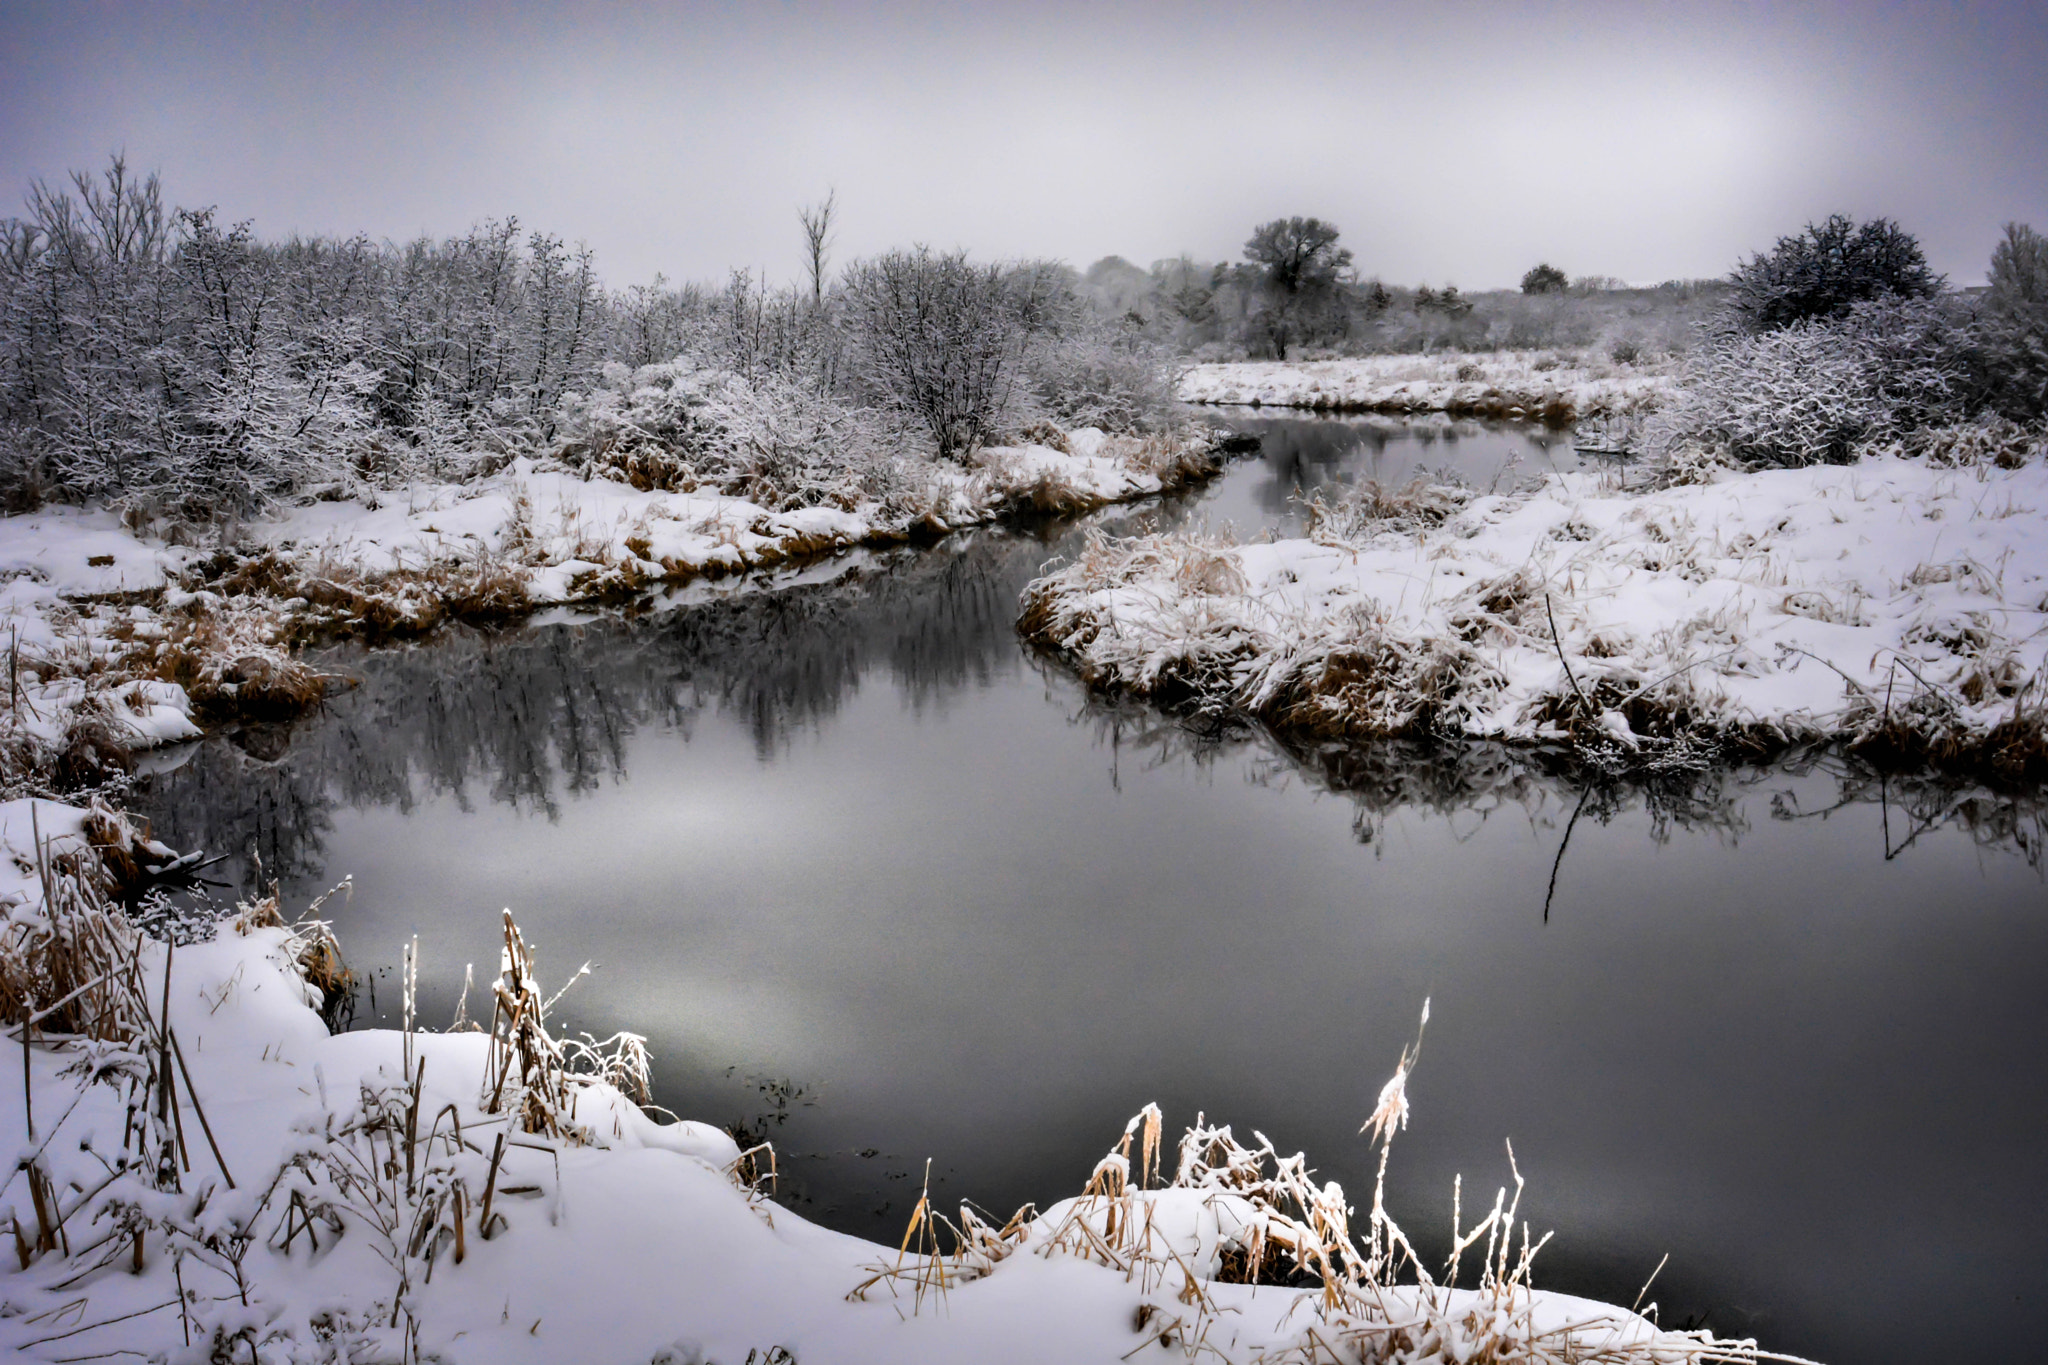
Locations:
(1170, 619)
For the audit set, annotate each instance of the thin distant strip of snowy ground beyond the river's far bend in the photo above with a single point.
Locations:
(1551, 386)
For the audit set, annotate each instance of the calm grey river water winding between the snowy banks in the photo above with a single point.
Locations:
(882, 885)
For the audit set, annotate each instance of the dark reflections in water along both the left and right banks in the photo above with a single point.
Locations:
(536, 715)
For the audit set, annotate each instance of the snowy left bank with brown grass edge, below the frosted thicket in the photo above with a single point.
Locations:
(116, 640)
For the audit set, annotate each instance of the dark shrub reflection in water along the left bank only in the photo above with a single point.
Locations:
(534, 717)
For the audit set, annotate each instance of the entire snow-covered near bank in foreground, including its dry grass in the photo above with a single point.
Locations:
(409, 1196)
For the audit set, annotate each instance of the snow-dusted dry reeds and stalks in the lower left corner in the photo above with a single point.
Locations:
(386, 1165)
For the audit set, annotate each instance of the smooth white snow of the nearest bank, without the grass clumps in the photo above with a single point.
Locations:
(622, 1249)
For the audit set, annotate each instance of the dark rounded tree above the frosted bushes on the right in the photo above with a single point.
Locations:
(1826, 271)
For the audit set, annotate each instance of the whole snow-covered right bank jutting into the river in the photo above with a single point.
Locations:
(1889, 603)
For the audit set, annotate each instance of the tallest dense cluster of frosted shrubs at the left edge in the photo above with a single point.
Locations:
(181, 365)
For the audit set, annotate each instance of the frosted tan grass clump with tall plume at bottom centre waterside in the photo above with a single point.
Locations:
(1248, 1215)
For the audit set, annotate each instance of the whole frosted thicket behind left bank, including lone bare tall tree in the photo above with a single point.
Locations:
(183, 367)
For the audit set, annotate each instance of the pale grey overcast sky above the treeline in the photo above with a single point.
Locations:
(1451, 142)
